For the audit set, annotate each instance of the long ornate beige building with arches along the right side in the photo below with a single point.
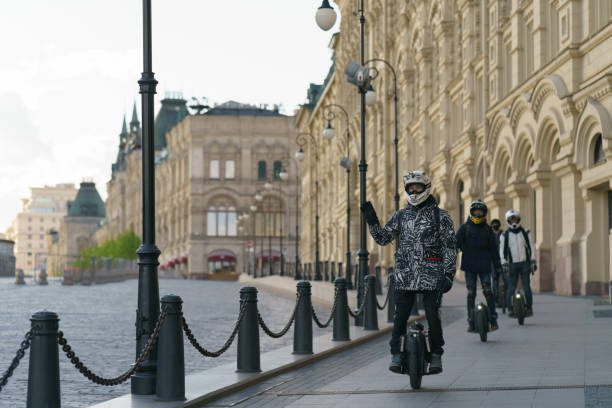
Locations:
(508, 101)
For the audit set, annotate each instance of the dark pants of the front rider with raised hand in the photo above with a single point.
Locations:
(404, 300)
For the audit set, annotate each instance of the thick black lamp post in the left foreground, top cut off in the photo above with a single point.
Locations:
(143, 381)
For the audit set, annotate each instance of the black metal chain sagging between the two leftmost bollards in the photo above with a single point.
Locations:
(82, 368)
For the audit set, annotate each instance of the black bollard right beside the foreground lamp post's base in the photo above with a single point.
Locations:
(170, 381)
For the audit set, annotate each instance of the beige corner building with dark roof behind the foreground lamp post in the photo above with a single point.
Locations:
(209, 167)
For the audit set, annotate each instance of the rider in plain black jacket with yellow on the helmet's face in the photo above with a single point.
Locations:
(477, 242)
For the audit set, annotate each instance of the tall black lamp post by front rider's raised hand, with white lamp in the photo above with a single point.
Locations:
(324, 18)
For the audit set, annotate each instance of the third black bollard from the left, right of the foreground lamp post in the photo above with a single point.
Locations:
(248, 334)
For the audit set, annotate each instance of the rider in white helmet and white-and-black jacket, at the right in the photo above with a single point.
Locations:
(517, 253)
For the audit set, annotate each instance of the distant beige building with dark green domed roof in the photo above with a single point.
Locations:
(76, 229)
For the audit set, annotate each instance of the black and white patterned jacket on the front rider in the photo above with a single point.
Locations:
(426, 249)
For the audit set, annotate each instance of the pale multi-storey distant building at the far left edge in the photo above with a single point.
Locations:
(41, 212)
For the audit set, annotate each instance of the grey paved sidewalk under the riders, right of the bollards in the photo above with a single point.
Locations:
(561, 357)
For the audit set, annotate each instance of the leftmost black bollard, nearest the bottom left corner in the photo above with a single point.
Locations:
(43, 372)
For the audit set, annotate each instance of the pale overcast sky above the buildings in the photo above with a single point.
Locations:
(69, 72)
